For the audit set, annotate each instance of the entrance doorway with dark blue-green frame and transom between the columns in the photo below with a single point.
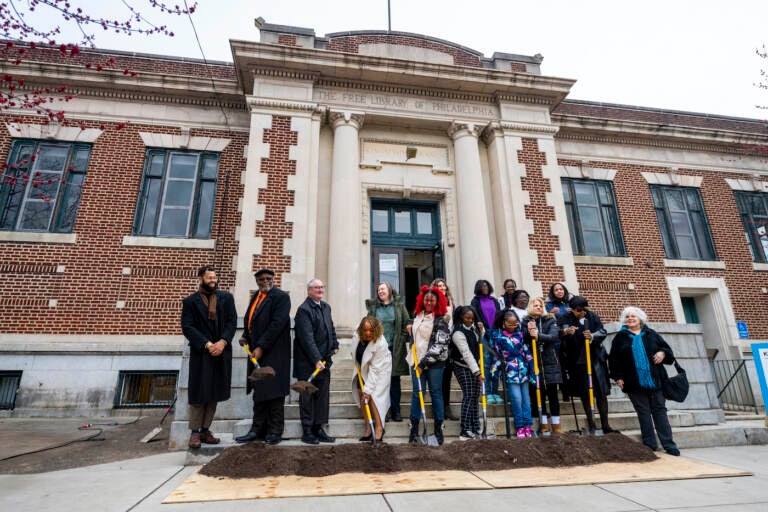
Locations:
(406, 246)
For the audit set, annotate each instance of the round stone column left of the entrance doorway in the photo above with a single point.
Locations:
(343, 281)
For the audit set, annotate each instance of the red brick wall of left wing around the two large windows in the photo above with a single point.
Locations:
(88, 290)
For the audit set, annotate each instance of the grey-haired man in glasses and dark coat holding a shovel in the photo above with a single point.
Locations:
(313, 348)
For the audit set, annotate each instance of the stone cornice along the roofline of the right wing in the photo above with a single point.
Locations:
(652, 134)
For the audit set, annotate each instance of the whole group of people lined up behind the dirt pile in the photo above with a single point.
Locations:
(440, 341)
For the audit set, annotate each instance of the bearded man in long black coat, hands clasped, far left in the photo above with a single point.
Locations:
(208, 320)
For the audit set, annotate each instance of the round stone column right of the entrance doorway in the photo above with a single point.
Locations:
(474, 236)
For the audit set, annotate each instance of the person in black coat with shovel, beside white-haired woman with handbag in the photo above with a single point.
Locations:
(576, 327)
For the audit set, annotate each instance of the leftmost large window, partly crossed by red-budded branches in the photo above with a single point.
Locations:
(41, 186)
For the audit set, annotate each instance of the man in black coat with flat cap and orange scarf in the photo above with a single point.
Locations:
(267, 332)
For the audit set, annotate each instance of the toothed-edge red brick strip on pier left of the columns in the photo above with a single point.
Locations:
(275, 197)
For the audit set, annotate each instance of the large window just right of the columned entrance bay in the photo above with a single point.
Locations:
(592, 217)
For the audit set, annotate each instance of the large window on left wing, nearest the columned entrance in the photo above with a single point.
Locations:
(177, 194)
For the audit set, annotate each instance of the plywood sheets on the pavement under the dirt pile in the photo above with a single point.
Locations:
(200, 488)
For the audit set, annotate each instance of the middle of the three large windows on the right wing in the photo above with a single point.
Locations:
(683, 223)
